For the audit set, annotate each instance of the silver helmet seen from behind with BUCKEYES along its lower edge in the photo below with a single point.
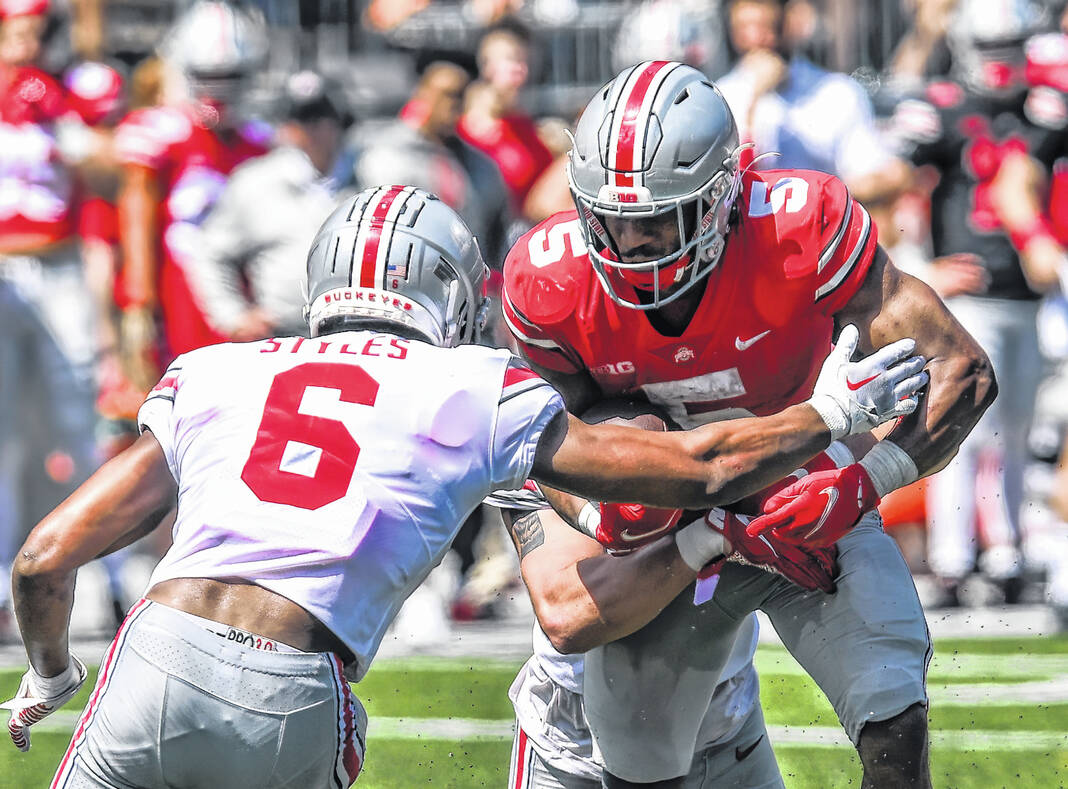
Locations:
(397, 257)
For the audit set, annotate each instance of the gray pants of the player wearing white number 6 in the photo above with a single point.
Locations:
(177, 707)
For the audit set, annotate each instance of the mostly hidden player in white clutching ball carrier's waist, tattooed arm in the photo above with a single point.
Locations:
(585, 597)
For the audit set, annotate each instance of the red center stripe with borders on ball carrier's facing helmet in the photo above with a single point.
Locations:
(631, 122)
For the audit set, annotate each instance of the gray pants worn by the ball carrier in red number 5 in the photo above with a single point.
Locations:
(867, 648)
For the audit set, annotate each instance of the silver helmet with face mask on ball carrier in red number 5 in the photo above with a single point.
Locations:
(657, 139)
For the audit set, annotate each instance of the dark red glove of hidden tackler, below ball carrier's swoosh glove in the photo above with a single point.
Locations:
(807, 567)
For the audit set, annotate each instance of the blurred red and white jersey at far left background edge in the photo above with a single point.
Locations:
(36, 186)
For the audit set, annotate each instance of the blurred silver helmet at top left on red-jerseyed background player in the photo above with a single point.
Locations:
(216, 46)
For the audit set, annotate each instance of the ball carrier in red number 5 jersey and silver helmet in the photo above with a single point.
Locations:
(715, 293)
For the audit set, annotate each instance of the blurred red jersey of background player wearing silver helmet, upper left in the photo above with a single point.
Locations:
(193, 164)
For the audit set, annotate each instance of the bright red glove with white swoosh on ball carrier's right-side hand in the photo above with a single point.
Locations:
(820, 509)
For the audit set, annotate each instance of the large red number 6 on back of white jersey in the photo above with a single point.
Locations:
(285, 430)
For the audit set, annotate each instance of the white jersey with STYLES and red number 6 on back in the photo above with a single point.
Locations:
(336, 471)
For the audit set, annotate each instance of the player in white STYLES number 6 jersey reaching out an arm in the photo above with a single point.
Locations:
(319, 481)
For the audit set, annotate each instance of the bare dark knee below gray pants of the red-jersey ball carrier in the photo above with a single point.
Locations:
(894, 752)
